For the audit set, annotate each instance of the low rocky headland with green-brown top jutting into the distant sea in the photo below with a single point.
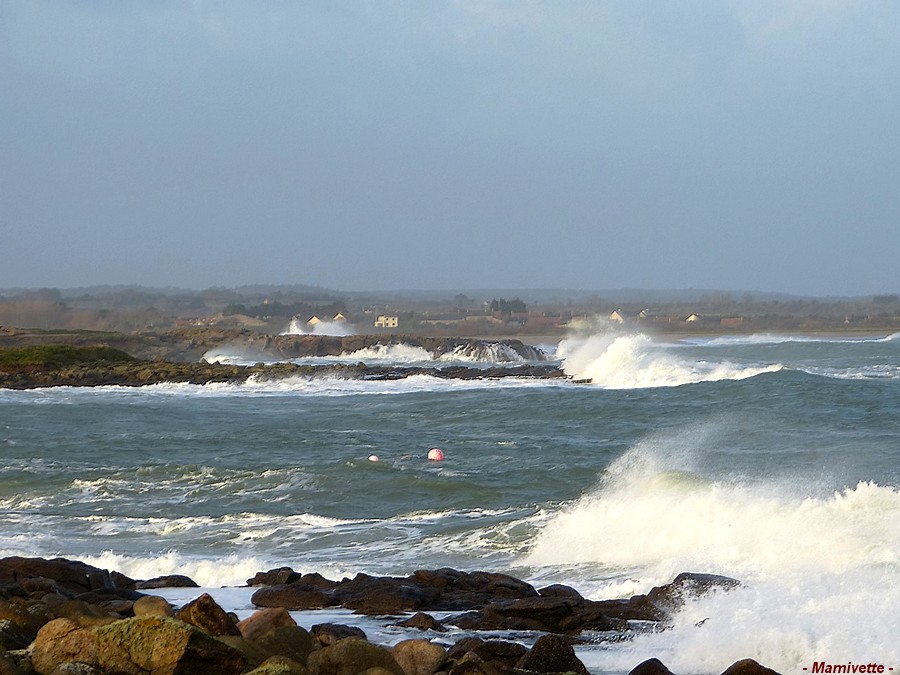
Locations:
(31, 359)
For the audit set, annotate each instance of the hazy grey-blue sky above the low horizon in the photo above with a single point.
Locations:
(363, 145)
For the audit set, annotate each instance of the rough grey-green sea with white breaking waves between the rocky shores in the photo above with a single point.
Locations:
(770, 458)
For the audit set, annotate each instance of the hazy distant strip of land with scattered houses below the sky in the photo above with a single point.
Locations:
(278, 309)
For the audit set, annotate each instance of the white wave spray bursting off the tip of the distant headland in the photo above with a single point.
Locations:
(635, 361)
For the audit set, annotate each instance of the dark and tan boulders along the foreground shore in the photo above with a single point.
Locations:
(61, 616)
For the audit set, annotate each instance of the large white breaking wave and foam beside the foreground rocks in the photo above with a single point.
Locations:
(820, 574)
